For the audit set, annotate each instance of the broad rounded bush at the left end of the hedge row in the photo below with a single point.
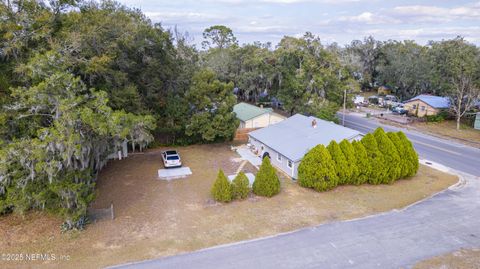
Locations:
(317, 170)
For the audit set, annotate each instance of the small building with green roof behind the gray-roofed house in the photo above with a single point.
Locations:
(251, 116)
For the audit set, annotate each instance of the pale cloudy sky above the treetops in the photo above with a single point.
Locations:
(338, 21)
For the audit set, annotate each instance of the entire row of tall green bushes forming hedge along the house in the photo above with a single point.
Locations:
(379, 158)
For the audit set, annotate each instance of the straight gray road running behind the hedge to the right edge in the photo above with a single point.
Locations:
(448, 153)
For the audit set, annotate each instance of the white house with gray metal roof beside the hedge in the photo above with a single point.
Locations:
(288, 141)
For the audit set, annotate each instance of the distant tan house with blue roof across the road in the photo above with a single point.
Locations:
(426, 105)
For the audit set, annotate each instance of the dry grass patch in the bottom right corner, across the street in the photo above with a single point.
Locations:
(461, 259)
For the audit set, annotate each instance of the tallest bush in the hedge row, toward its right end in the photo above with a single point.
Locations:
(390, 154)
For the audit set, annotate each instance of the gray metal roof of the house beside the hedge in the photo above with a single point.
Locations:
(295, 136)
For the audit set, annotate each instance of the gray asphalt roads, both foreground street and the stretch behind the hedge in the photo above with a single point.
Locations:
(396, 239)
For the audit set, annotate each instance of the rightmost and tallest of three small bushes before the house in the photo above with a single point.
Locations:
(266, 181)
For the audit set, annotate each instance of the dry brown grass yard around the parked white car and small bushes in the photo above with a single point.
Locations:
(157, 218)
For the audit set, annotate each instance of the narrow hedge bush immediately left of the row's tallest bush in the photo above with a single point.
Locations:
(378, 173)
